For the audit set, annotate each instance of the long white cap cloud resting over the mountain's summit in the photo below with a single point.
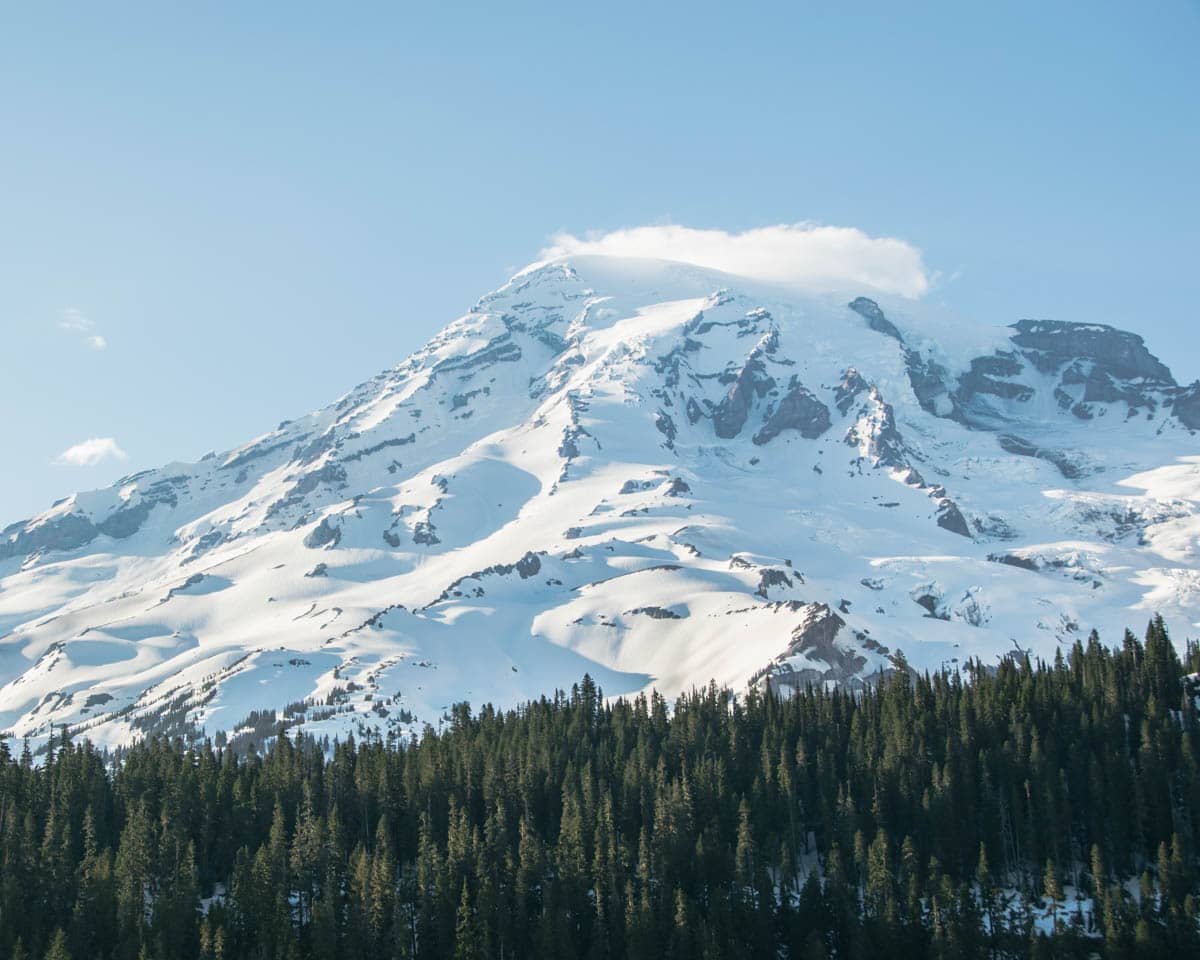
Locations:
(820, 260)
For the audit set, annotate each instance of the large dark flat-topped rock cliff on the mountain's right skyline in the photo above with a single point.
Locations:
(1119, 353)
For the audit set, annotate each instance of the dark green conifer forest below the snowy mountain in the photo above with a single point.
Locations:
(1028, 811)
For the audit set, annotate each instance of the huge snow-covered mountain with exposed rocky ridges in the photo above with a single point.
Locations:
(651, 472)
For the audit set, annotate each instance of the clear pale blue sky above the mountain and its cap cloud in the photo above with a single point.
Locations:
(215, 219)
